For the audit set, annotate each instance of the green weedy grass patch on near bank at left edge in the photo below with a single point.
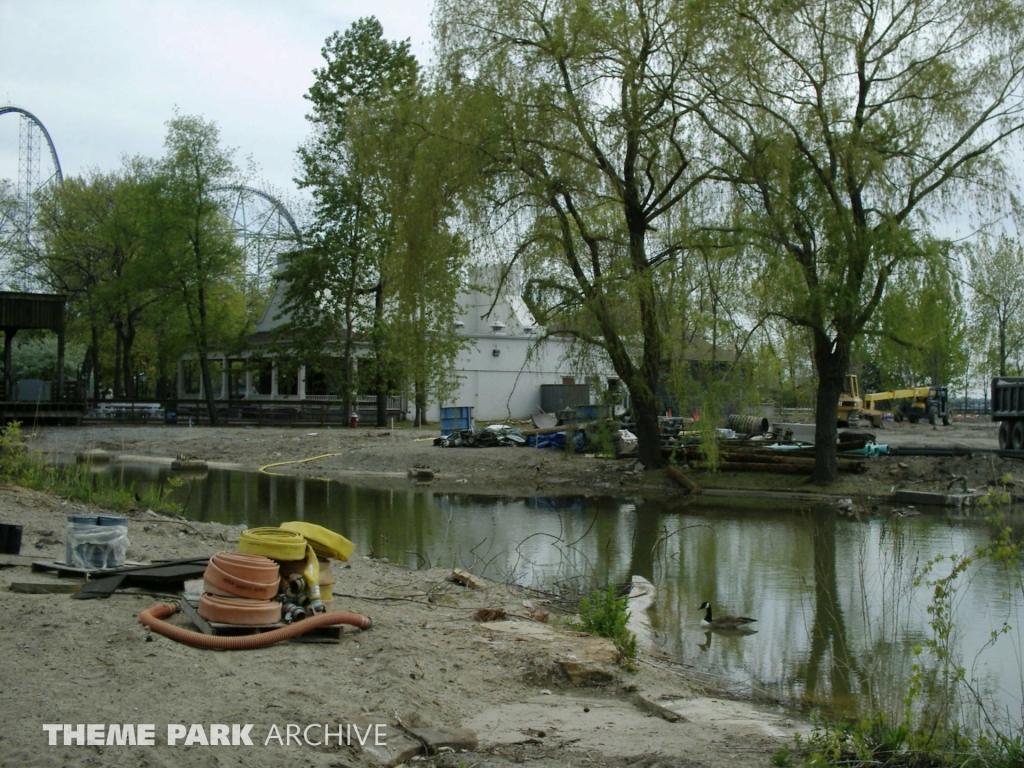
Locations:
(74, 483)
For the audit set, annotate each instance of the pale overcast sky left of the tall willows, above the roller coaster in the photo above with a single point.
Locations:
(105, 76)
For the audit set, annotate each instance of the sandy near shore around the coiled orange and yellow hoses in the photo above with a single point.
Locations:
(528, 693)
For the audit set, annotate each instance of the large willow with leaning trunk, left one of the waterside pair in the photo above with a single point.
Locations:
(586, 151)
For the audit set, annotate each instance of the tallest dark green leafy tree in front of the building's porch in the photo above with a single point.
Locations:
(335, 286)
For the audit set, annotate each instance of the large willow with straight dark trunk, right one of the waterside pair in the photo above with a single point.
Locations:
(848, 124)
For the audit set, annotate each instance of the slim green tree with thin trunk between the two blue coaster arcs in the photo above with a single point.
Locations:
(196, 243)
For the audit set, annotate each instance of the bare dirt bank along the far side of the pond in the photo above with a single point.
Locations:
(383, 458)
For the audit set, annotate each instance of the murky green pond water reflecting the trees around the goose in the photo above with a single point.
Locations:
(838, 608)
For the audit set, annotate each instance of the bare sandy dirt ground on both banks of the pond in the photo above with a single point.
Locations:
(531, 695)
